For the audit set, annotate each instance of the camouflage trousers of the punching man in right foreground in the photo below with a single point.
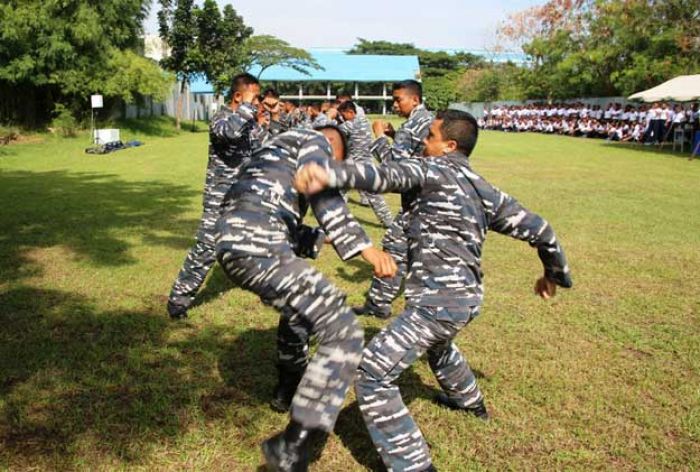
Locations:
(416, 331)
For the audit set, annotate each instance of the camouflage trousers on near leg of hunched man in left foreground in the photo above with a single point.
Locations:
(300, 292)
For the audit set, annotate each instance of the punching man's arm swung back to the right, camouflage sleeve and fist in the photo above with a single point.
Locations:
(512, 219)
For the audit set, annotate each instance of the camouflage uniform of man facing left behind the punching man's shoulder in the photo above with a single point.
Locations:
(408, 143)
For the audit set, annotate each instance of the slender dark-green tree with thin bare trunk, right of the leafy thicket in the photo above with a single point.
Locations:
(177, 24)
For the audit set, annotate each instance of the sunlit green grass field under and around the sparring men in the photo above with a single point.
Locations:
(93, 376)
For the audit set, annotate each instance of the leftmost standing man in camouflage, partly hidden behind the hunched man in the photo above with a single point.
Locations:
(233, 134)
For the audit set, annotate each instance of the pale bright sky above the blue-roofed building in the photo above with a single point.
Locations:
(429, 24)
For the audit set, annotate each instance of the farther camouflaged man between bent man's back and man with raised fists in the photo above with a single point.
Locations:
(359, 134)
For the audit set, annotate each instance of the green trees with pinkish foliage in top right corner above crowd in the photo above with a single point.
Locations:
(596, 48)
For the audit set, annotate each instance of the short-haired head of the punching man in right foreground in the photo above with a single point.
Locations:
(452, 130)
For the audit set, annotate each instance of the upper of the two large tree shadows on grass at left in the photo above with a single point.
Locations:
(85, 213)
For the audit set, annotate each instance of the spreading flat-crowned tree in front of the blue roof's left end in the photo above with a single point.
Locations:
(266, 51)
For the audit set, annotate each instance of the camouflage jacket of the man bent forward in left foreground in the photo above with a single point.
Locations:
(264, 190)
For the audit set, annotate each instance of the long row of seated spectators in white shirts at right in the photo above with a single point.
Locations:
(643, 124)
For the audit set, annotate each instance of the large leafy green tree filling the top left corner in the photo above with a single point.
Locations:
(61, 52)
